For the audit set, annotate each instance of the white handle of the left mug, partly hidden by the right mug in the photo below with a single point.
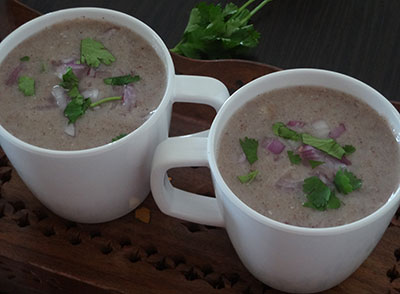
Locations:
(200, 89)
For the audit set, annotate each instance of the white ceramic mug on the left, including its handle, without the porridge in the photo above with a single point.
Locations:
(106, 182)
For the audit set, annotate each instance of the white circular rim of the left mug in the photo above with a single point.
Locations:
(92, 13)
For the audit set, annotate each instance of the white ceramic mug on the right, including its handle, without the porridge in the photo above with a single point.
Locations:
(286, 257)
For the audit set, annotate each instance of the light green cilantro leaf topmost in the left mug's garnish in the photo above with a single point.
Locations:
(93, 53)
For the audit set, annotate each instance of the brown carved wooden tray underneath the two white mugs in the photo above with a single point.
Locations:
(42, 253)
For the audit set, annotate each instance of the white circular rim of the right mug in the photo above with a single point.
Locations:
(307, 231)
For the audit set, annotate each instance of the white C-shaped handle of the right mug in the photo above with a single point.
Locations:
(182, 152)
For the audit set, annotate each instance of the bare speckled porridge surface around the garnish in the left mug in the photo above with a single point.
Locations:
(38, 120)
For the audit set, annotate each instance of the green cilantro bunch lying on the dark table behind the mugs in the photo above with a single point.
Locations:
(214, 32)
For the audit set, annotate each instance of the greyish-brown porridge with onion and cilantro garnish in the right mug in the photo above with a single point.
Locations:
(309, 156)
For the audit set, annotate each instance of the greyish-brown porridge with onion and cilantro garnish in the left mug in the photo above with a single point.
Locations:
(79, 84)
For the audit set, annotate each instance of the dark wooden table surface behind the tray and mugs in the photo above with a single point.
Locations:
(356, 37)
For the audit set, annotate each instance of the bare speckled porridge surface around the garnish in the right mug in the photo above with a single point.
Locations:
(376, 160)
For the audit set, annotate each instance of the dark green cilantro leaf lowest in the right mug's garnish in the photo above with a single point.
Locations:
(319, 196)
